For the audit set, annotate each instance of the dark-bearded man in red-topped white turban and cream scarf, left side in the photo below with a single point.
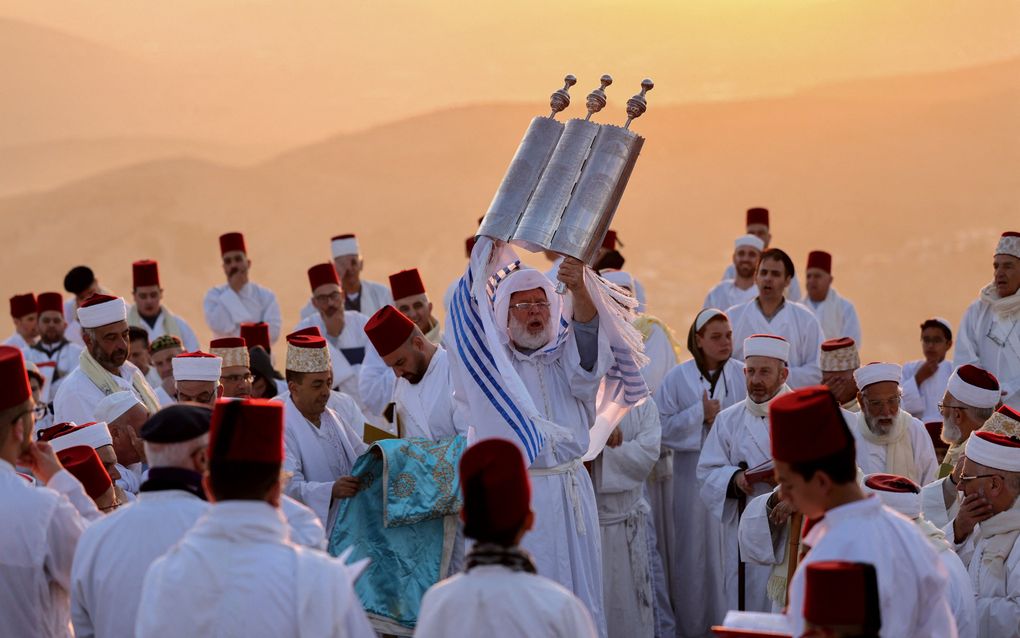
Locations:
(105, 368)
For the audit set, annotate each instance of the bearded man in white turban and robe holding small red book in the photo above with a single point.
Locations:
(736, 465)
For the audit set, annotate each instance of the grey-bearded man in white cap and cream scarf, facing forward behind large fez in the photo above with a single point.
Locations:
(889, 439)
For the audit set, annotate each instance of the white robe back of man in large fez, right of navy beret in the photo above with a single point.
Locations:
(236, 574)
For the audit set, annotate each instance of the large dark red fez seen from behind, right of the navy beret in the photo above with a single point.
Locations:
(248, 430)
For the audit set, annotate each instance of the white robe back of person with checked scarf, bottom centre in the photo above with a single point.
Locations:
(493, 601)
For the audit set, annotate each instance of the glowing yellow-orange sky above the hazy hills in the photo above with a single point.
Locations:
(305, 69)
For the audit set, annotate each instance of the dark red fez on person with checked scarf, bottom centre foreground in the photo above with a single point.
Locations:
(496, 489)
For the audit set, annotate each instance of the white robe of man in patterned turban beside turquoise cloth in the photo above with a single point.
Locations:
(317, 458)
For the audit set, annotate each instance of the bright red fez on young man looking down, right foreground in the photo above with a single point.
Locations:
(807, 425)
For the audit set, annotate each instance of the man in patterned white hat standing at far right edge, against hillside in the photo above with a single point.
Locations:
(990, 331)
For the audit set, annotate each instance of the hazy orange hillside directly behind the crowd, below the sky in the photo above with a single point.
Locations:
(907, 181)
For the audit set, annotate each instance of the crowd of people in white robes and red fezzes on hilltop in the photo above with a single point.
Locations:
(697, 507)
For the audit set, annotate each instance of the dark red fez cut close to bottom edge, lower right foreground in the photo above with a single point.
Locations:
(842, 594)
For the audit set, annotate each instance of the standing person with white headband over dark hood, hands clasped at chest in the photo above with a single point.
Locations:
(691, 397)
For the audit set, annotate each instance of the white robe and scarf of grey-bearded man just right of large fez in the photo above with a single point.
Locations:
(875, 459)
